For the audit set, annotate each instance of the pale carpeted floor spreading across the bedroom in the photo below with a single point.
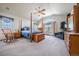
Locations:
(50, 46)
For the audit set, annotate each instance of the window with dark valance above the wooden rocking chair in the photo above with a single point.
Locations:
(6, 22)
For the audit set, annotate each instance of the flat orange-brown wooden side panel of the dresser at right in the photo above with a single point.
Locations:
(74, 45)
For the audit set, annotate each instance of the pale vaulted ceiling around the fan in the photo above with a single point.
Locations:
(24, 9)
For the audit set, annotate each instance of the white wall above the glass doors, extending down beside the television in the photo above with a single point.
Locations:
(57, 18)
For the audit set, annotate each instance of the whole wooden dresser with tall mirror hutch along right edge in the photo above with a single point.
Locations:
(71, 37)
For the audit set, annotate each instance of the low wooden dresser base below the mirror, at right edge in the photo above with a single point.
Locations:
(72, 43)
